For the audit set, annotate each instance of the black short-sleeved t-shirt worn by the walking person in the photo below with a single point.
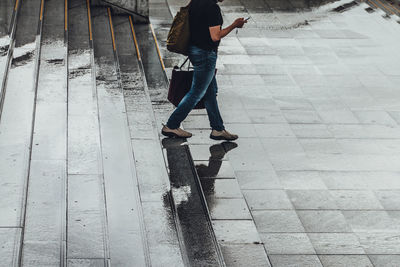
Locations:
(204, 14)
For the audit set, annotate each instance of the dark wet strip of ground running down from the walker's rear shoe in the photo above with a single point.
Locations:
(201, 244)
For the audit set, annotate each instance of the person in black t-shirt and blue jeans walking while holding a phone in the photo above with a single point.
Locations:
(206, 32)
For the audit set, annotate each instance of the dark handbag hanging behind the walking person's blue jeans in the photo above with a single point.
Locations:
(180, 84)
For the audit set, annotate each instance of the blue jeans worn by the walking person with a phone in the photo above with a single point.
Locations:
(204, 85)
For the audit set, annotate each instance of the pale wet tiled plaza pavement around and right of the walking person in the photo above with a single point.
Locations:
(312, 118)
